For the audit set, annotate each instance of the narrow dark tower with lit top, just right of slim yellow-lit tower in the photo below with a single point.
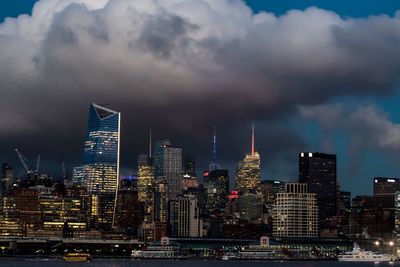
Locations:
(161, 200)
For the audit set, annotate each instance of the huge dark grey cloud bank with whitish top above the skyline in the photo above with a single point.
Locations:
(181, 67)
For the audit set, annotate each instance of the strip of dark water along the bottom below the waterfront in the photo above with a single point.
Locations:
(184, 263)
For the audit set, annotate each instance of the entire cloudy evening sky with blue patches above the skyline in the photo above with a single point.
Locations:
(312, 76)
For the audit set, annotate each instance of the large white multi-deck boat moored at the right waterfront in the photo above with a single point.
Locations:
(360, 255)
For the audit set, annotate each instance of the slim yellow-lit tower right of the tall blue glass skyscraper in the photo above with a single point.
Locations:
(145, 185)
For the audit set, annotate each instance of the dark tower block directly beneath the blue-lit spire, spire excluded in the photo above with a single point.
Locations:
(217, 185)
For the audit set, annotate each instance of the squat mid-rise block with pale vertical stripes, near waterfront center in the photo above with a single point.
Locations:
(184, 217)
